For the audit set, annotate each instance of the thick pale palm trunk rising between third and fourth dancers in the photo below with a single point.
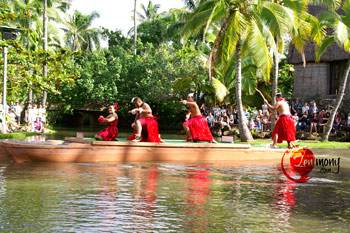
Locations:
(244, 131)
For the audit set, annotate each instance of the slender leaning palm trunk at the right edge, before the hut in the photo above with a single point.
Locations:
(342, 88)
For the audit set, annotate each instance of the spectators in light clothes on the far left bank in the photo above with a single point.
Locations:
(34, 117)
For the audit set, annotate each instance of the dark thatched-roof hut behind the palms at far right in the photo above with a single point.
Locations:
(319, 80)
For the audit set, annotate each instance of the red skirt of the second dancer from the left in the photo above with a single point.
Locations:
(150, 131)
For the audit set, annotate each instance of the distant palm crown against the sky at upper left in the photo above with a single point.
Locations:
(79, 33)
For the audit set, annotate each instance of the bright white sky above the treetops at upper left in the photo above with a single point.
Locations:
(117, 14)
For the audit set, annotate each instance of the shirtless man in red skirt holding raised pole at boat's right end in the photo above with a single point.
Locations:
(285, 126)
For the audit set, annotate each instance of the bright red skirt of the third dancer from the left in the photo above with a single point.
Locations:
(199, 129)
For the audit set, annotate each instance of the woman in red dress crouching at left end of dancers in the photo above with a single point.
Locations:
(110, 133)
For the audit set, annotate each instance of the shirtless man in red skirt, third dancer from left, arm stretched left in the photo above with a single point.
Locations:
(196, 126)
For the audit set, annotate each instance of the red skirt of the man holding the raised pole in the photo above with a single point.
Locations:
(285, 129)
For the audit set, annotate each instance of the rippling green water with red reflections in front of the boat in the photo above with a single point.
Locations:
(161, 197)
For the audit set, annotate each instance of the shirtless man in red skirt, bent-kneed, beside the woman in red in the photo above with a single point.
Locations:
(145, 125)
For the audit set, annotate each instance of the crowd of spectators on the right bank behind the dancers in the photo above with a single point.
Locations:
(308, 116)
